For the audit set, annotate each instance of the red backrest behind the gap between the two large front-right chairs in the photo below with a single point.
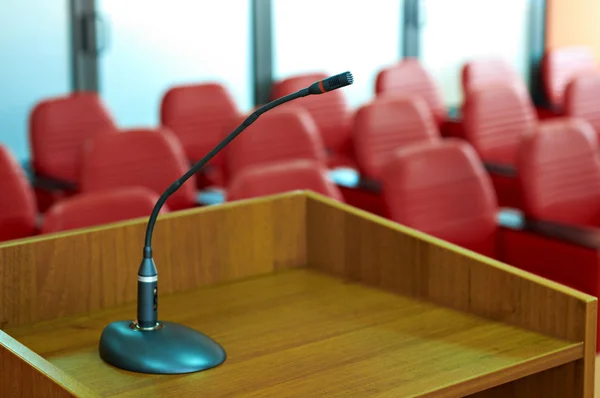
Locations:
(494, 119)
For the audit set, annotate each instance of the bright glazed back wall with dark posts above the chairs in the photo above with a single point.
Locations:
(132, 51)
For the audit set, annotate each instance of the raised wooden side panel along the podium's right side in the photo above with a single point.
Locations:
(370, 249)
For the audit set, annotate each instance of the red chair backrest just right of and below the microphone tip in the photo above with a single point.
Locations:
(387, 124)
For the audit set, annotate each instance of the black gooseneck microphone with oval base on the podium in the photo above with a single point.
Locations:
(149, 346)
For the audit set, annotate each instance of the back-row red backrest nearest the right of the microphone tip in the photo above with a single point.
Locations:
(409, 78)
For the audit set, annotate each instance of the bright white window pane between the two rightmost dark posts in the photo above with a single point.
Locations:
(461, 30)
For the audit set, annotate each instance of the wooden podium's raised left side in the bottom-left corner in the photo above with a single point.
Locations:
(33, 375)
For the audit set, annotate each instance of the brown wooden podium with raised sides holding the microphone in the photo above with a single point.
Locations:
(307, 296)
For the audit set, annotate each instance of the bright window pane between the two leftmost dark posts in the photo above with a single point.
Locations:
(153, 44)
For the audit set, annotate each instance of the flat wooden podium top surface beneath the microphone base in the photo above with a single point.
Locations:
(301, 333)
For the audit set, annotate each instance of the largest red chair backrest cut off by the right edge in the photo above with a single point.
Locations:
(559, 173)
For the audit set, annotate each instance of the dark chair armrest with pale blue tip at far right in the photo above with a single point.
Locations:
(575, 235)
